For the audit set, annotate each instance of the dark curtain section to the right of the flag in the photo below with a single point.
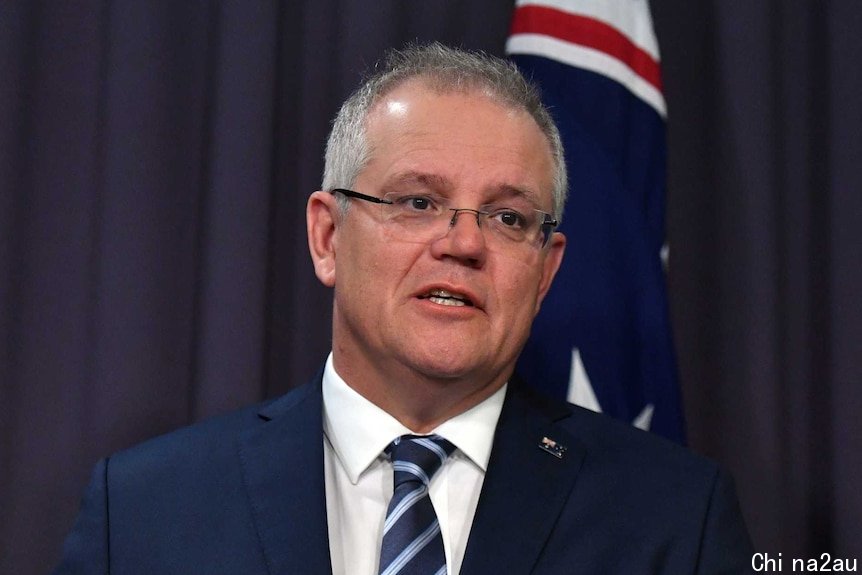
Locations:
(764, 118)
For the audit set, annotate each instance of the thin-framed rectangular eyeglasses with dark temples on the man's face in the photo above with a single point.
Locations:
(420, 217)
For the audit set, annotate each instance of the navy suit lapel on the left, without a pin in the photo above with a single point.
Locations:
(282, 462)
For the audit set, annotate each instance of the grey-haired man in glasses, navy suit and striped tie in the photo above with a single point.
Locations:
(444, 181)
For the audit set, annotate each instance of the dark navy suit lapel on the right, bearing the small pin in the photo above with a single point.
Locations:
(524, 490)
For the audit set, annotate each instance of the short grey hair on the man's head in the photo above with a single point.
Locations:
(447, 70)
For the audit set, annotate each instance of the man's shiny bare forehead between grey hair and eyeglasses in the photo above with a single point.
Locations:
(464, 139)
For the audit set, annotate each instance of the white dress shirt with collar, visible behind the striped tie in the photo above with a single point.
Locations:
(359, 476)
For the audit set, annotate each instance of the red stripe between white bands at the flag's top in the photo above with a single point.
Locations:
(587, 32)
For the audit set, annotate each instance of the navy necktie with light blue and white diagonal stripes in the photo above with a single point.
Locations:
(412, 544)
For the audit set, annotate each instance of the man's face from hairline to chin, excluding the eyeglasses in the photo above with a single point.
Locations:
(470, 150)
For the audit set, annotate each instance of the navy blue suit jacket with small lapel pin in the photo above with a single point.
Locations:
(245, 494)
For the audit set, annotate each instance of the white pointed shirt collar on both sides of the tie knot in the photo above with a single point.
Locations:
(359, 431)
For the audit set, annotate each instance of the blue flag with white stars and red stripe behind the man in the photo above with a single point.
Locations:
(603, 337)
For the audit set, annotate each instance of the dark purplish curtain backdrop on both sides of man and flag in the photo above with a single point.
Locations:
(155, 158)
